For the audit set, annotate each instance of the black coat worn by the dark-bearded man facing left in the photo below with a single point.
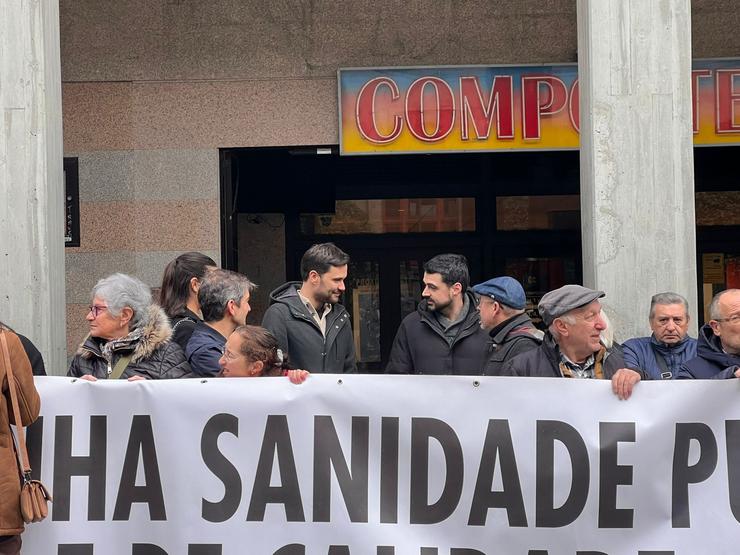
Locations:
(420, 346)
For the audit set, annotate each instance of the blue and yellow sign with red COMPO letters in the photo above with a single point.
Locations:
(486, 108)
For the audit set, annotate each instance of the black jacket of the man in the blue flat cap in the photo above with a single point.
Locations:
(516, 336)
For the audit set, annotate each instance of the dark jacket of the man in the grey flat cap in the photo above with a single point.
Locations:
(544, 362)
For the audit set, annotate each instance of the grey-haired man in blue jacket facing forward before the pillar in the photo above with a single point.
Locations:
(662, 354)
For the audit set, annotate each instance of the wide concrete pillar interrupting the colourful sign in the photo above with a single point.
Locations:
(637, 168)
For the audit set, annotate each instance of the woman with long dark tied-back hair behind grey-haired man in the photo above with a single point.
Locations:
(178, 294)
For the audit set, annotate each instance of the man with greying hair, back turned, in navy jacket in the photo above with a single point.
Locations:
(224, 302)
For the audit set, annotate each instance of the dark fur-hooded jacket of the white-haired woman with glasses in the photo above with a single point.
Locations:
(154, 355)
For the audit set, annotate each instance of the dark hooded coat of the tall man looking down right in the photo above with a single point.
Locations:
(300, 337)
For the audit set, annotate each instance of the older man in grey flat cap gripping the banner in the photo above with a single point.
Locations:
(572, 347)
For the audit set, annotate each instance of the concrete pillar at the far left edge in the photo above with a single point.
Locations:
(31, 177)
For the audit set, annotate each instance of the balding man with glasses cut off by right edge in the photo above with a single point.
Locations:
(718, 352)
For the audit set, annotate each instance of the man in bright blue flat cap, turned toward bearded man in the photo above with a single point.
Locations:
(502, 315)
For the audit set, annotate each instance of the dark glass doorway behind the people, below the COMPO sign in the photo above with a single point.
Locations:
(508, 213)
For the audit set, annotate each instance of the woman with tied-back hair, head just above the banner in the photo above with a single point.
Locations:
(252, 351)
